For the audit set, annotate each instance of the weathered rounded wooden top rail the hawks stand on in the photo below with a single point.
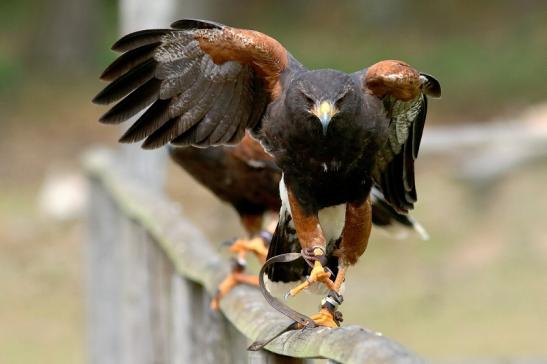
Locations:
(191, 256)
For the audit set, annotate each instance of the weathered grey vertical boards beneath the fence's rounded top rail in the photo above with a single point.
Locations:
(140, 309)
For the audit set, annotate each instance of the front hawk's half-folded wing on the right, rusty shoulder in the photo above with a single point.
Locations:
(403, 91)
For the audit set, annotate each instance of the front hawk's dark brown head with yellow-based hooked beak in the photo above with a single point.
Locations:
(323, 96)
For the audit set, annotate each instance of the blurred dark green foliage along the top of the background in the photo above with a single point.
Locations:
(490, 55)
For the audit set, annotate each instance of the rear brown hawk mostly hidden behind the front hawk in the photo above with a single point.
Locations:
(247, 178)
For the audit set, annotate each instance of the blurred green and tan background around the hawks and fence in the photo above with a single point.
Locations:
(477, 289)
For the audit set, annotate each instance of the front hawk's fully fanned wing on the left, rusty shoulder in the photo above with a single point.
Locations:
(205, 83)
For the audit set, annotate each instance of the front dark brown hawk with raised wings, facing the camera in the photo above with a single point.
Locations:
(334, 135)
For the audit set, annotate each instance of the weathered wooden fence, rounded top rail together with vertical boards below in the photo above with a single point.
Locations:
(150, 277)
